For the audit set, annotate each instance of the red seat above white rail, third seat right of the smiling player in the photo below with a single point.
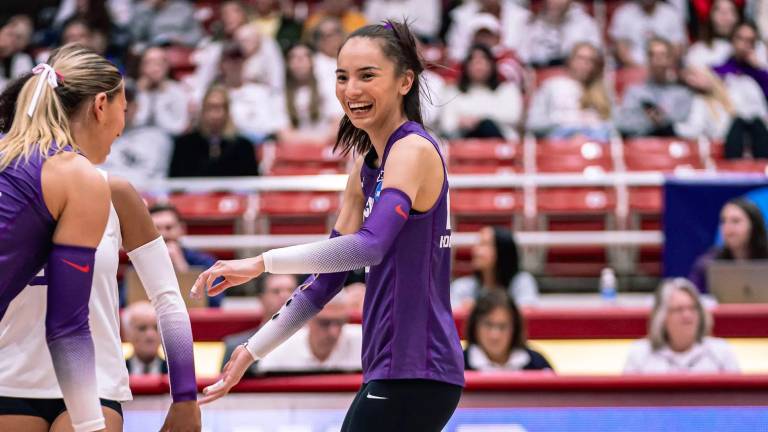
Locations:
(661, 154)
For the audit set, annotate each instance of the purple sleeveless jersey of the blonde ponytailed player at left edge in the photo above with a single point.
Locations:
(26, 226)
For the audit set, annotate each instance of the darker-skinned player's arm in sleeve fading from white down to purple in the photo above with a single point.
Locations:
(150, 258)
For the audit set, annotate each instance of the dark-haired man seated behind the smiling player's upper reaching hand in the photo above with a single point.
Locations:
(171, 226)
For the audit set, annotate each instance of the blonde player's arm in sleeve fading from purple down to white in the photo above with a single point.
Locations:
(77, 196)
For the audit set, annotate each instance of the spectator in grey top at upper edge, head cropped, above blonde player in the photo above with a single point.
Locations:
(160, 22)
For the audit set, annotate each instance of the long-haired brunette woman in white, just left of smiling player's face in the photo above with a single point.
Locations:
(312, 116)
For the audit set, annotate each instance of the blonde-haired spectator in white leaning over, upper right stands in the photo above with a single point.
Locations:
(711, 112)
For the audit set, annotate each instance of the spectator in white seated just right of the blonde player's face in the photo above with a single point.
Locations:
(160, 100)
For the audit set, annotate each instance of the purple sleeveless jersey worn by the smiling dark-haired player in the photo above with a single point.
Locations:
(408, 327)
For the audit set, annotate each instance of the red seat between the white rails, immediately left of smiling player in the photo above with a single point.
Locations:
(297, 212)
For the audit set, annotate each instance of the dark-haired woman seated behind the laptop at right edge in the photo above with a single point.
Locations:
(742, 227)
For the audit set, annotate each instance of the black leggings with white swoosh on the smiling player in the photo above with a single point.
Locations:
(403, 406)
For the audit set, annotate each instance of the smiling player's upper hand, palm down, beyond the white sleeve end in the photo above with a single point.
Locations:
(234, 272)
